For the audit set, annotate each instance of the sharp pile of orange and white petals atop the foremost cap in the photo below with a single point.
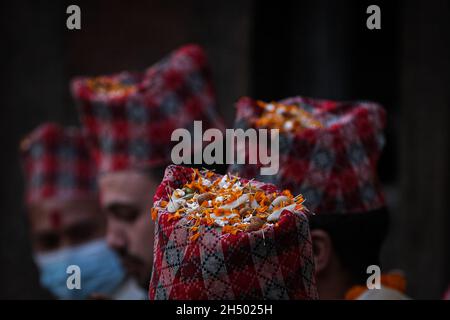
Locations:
(227, 203)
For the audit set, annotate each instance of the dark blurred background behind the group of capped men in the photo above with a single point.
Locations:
(313, 48)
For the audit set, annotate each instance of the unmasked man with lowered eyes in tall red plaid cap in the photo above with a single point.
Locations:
(129, 118)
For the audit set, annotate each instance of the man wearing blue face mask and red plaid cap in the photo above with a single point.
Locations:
(67, 227)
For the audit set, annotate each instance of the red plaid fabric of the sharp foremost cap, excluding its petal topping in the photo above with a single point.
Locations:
(272, 263)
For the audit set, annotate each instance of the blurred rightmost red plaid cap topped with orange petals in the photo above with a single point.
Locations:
(330, 158)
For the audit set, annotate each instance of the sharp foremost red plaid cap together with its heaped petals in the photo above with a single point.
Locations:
(222, 237)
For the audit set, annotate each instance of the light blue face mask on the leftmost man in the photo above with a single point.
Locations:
(100, 270)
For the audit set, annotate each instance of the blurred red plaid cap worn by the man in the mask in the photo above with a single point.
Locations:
(57, 164)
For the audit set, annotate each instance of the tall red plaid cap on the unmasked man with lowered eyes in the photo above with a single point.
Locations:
(130, 117)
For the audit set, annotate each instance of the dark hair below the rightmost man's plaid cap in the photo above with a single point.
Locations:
(357, 238)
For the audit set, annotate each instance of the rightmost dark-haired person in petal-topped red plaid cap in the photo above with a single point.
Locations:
(328, 152)
